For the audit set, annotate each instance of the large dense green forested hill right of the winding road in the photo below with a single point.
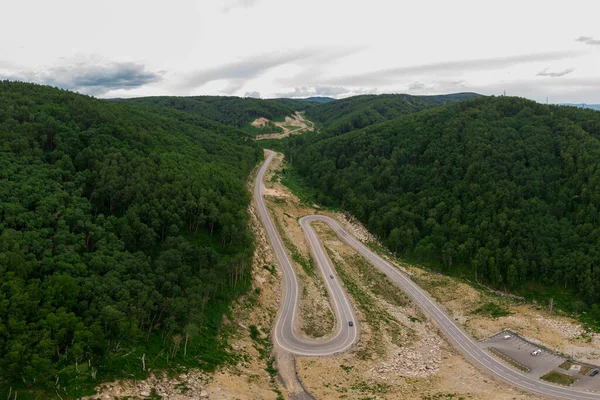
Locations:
(503, 190)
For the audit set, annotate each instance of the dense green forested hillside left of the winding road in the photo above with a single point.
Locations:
(123, 236)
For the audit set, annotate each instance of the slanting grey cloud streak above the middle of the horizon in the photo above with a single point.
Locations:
(239, 72)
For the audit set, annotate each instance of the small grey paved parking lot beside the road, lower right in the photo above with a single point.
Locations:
(519, 350)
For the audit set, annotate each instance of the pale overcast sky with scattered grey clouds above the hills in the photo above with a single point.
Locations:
(275, 48)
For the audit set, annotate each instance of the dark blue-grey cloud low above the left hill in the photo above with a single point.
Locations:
(90, 77)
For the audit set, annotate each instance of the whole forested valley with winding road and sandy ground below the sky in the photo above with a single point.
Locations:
(297, 298)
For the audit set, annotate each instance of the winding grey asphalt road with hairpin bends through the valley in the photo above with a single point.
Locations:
(345, 336)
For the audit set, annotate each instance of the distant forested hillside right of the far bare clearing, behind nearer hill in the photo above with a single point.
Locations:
(357, 112)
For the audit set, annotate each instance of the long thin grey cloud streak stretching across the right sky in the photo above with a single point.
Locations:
(392, 75)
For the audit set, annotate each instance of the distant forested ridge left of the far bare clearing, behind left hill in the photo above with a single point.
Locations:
(233, 111)
